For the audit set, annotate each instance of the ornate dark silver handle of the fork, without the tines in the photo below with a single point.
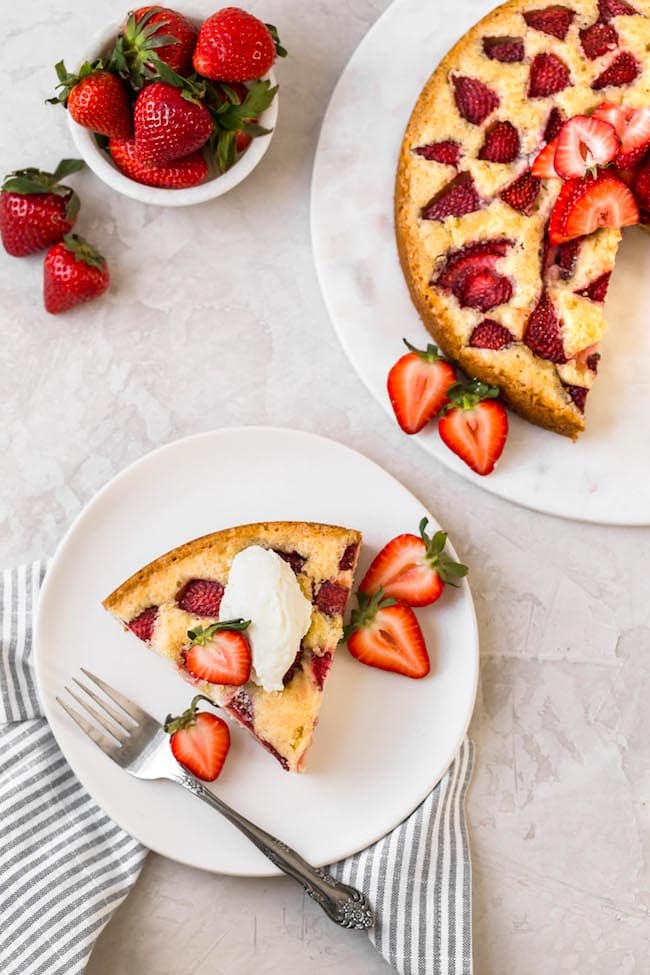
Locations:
(343, 904)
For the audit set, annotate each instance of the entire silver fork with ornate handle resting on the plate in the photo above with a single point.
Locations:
(138, 743)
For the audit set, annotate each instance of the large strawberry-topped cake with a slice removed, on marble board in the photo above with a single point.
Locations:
(507, 252)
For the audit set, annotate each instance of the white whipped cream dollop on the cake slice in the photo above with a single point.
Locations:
(263, 588)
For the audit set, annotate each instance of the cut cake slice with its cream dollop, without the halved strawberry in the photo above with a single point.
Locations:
(291, 580)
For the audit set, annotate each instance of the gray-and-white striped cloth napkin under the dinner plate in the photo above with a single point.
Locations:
(65, 866)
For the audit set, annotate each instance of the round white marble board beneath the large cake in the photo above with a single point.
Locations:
(602, 478)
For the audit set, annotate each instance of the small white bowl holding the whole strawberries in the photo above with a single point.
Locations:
(215, 184)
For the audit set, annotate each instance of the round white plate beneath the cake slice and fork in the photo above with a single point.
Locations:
(383, 741)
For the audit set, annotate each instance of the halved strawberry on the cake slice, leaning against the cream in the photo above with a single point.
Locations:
(220, 653)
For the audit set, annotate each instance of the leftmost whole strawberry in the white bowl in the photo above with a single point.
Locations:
(96, 99)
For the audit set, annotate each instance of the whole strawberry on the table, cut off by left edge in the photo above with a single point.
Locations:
(36, 209)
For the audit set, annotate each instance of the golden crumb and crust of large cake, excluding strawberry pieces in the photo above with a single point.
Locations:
(532, 386)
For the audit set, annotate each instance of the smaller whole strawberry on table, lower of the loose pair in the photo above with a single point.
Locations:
(73, 273)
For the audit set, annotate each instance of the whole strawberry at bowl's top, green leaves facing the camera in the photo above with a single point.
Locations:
(151, 34)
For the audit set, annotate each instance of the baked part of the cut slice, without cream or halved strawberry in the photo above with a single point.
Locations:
(183, 589)
